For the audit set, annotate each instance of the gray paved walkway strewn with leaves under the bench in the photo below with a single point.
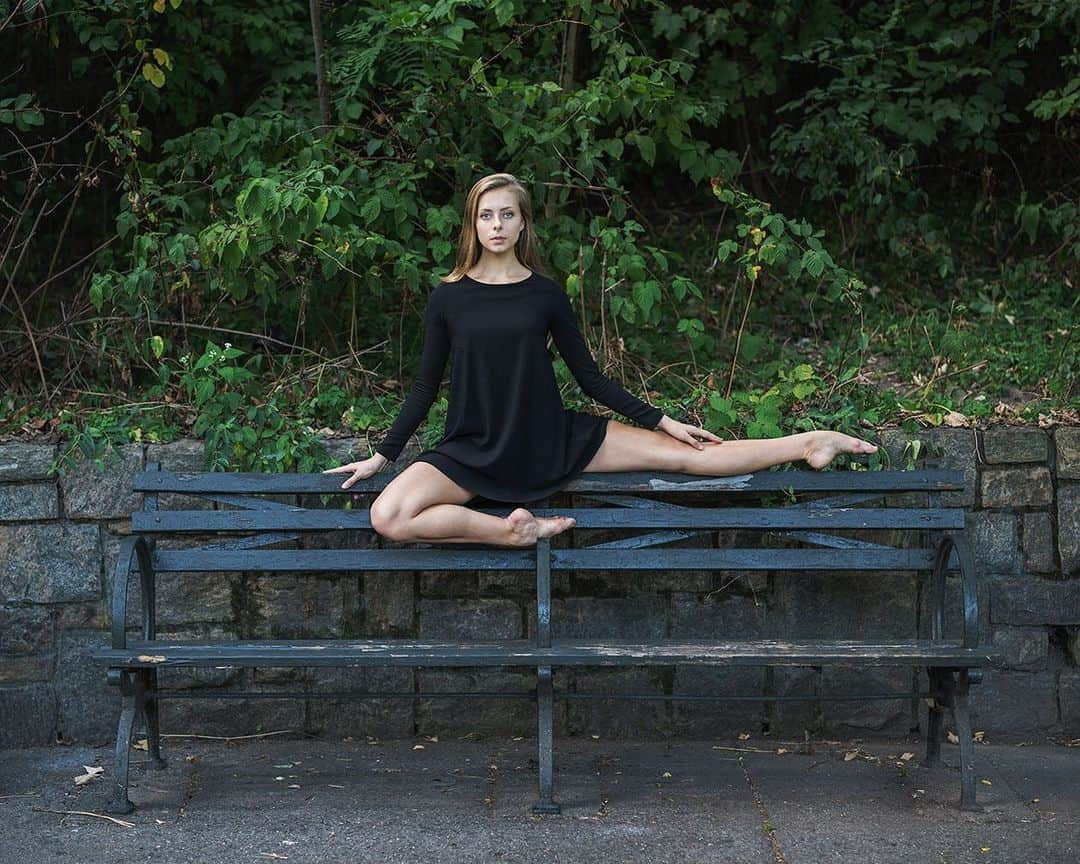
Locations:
(310, 801)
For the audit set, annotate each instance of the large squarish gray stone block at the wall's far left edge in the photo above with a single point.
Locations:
(57, 563)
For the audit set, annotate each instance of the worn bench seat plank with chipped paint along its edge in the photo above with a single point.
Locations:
(524, 653)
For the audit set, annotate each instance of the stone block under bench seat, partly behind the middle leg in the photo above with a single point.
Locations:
(462, 717)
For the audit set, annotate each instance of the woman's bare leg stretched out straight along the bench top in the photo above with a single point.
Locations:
(632, 449)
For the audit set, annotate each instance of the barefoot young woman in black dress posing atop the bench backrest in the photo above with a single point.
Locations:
(508, 437)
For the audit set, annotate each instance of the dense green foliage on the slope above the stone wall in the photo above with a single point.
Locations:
(778, 217)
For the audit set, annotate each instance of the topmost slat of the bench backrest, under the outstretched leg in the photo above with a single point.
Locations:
(623, 482)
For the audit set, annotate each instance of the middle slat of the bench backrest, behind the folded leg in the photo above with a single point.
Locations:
(300, 519)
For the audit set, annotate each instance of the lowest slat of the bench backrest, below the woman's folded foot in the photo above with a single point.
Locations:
(355, 560)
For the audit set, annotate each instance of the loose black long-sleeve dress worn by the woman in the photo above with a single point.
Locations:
(508, 436)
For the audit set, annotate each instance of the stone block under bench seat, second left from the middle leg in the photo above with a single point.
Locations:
(391, 719)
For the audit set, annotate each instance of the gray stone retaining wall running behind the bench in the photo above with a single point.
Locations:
(60, 538)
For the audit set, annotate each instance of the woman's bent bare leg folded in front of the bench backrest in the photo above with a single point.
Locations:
(424, 505)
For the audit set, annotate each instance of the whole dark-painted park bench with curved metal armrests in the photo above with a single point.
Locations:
(802, 510)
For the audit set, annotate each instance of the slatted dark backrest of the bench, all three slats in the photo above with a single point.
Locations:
(260, 522)
